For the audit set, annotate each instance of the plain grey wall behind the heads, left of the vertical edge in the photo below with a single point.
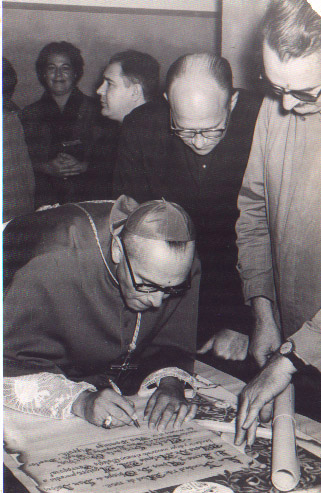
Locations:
(99, 34)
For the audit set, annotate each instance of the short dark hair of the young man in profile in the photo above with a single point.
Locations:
(140, 68)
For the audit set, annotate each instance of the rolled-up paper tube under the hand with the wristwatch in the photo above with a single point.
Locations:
(285, 463)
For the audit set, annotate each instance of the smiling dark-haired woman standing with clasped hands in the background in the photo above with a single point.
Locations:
(61, 127)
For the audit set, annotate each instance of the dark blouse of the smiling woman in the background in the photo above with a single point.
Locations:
(89, 137)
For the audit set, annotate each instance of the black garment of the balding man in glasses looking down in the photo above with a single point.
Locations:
(152, 164)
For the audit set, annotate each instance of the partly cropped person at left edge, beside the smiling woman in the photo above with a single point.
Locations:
(18, 178)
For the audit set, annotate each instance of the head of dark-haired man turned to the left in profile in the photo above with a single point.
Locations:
(131, 78)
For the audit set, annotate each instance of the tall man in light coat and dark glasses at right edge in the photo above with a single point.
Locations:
(279, 229)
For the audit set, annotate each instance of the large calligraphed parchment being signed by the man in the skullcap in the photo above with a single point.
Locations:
(43, 445)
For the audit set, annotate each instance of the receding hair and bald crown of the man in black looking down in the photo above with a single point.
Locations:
(216, 66)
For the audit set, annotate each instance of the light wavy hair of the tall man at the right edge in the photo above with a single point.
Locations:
(292, 28)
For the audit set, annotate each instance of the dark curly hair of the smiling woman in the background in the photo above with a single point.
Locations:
(62, 48)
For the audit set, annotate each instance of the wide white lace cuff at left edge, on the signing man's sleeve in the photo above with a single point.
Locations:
(43, 394)
